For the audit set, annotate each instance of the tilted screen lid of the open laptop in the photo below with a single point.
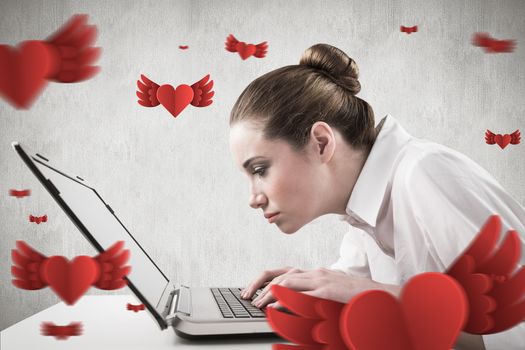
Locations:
(98, 223)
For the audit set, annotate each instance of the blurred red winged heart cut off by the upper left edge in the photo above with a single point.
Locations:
(64, 57)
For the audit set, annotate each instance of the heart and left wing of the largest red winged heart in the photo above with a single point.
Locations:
(429, 316)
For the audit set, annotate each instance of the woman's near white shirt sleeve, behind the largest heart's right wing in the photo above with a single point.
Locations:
(451, 197)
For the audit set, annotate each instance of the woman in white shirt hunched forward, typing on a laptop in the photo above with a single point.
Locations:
(309, 148)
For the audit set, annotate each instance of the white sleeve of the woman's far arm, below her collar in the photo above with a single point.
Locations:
(352, 254)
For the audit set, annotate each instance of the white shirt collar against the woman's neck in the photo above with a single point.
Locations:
(369, 190)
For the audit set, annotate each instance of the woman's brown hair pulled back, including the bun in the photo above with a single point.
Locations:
(286, 102)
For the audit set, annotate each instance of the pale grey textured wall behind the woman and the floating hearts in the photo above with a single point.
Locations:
(172, 181)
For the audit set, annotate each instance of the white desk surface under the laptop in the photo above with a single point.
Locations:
(107, 324)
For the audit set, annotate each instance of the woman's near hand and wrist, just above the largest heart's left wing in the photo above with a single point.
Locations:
(323, 283)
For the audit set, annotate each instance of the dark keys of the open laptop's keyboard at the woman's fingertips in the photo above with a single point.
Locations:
(233, 306)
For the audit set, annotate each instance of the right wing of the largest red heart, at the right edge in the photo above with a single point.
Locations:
(490, 276)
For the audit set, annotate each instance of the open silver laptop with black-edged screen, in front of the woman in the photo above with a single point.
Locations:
(193, 313)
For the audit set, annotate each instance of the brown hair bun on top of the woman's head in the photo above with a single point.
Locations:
(335, 63)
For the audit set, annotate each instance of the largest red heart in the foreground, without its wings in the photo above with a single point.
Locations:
(429, 316)
